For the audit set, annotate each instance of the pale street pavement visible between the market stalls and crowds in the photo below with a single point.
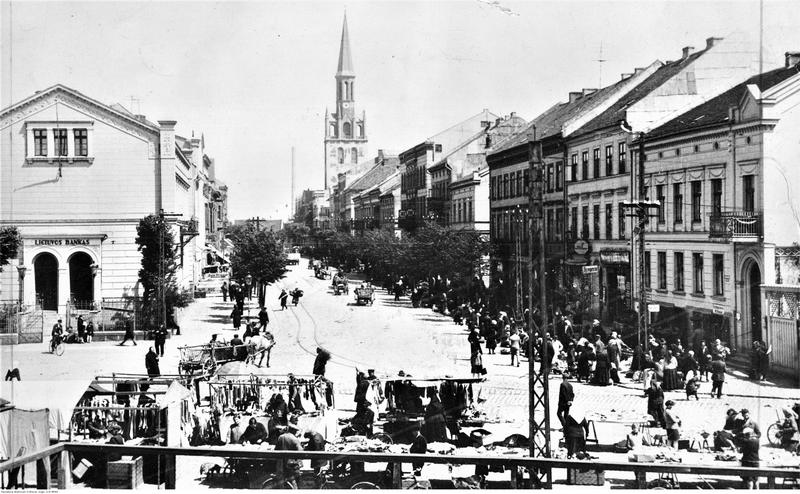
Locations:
(388, 337)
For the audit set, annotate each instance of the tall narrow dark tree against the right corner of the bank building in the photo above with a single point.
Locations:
(156, 242)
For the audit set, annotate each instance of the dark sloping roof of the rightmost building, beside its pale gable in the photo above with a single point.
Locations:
(715, 111)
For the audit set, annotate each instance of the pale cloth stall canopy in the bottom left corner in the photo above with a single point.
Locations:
(59, 397)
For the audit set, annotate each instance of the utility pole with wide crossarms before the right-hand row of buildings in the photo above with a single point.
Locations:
(640, 209)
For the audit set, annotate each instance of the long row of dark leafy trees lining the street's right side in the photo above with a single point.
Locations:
(431, 251)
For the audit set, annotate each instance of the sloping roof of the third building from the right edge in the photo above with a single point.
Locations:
(550, 122)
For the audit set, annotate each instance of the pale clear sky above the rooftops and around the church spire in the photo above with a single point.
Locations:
(255, 78)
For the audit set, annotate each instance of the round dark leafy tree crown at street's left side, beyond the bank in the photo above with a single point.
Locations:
(258, 253)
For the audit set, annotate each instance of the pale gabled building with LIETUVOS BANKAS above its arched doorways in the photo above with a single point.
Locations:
(76, 177)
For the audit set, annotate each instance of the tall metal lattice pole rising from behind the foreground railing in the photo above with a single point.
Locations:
(538, 389)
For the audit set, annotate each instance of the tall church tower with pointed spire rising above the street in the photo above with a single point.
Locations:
(345, 130)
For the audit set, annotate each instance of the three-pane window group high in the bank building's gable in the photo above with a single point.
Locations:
(65, 141)
